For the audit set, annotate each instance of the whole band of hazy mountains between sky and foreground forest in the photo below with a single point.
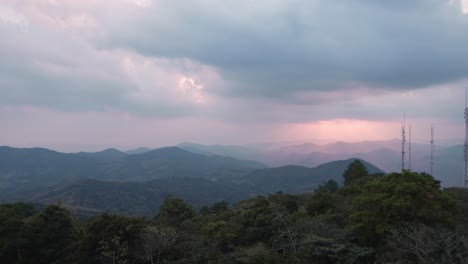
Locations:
(136, 181)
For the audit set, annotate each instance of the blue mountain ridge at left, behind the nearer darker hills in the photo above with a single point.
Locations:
(37, 167)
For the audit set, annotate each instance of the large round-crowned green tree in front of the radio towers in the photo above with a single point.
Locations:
(397, 199)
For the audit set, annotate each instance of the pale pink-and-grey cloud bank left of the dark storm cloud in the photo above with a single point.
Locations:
(47, 61)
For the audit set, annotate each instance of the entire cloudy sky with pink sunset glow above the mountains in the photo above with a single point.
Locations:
(93, 74)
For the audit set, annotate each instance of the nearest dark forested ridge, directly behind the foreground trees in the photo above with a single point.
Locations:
(137, 198)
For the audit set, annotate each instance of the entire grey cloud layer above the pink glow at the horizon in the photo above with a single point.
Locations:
(239, 61)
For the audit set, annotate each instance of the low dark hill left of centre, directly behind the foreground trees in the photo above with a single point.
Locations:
(134, 198)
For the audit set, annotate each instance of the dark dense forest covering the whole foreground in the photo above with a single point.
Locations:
(373, 218)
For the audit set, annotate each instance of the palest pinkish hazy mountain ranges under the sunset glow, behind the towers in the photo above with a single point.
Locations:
(385, 154)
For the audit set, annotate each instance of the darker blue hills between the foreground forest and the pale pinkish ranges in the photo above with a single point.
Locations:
(115, 181)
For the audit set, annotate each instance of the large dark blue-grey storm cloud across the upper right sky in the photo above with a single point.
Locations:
(273, 48)
